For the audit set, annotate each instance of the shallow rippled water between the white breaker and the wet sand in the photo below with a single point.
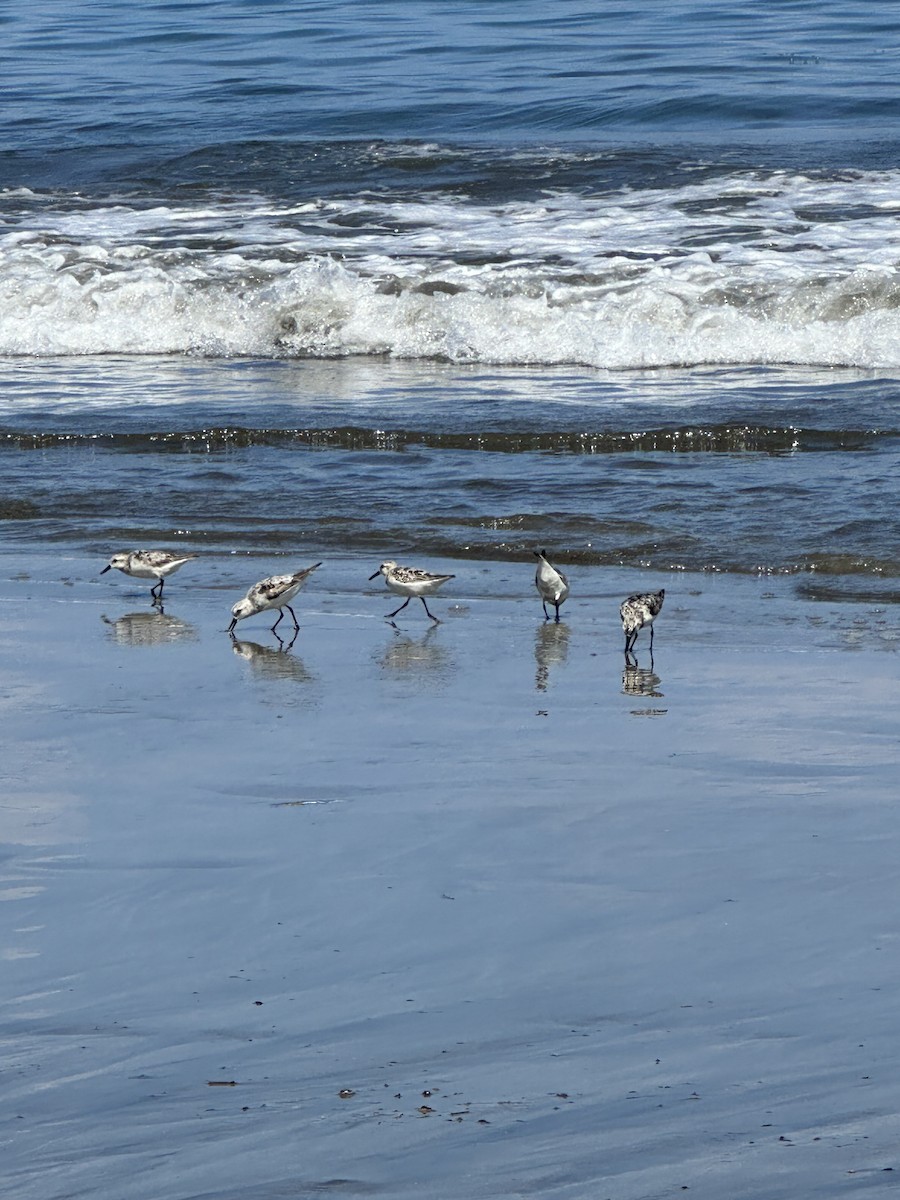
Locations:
(742, 471)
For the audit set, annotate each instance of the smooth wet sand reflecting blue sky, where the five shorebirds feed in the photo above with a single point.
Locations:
(459, 911)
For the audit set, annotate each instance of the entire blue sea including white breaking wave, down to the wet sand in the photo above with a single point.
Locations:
(455, 279)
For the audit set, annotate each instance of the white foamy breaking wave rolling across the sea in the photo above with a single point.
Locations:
(745, 269)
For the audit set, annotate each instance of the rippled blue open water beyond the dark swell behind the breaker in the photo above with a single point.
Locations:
(177, 76)
